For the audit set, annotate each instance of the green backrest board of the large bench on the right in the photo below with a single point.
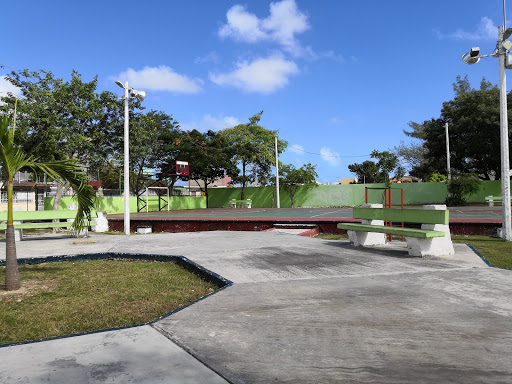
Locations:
(423, 216)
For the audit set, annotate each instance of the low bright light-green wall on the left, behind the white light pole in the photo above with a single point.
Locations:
(116, 204)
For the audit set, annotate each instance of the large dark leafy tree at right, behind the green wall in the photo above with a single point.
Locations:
(474, 130)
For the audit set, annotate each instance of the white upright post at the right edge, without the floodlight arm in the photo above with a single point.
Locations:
(505, 166)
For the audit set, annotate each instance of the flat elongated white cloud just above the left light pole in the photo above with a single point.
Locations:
(161, 78)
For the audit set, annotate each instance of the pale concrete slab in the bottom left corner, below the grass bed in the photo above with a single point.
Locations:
(138, 355)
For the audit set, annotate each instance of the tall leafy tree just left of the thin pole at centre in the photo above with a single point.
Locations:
(254, 150)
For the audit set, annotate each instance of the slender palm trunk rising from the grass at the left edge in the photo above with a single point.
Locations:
(12, 275)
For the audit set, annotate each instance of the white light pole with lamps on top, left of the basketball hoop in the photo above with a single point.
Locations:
(139, 95)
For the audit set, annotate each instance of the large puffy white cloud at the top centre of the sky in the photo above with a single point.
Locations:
(282, 25)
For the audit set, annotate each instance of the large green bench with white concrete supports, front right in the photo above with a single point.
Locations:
(433, 239)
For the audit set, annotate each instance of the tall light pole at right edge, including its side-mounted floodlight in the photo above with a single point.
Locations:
(472, 57)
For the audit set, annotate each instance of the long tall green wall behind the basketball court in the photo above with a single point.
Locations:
(347, 195)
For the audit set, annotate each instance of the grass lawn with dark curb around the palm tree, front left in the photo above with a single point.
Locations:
(73, 297)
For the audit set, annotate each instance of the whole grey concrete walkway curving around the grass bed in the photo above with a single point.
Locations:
(301, 310)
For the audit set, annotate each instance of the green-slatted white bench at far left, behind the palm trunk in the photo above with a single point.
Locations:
(42, 219)
